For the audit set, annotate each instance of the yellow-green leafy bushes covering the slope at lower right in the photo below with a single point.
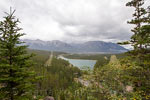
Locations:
(122, 79)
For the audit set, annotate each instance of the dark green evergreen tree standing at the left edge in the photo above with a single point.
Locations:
(15, 75)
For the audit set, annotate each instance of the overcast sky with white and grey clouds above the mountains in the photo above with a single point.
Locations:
(72, 20)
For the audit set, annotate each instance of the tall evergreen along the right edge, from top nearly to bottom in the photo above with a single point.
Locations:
(140, 40)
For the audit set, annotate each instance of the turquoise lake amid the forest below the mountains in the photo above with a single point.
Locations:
(80, 63)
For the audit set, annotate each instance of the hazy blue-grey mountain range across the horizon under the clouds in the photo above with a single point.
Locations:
(86, 47)
